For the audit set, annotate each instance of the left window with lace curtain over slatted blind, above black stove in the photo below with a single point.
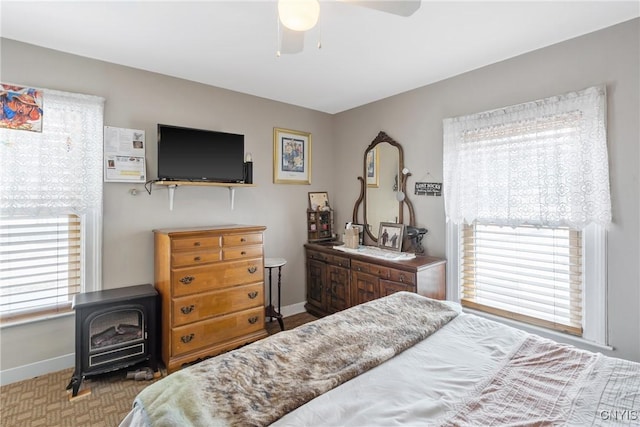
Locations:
(51, 208)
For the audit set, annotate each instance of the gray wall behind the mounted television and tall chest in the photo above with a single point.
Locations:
(138, 99)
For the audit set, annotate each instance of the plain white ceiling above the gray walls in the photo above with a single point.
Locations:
(366, 55)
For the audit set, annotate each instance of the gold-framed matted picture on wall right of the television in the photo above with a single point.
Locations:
(291, 157)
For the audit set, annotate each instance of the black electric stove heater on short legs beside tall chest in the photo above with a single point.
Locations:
(115, 328)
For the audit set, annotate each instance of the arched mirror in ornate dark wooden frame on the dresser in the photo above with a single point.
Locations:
(383, 186)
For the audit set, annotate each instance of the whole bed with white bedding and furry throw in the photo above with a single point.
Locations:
(399, 360)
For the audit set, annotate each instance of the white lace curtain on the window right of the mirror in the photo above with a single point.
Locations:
(541, 163)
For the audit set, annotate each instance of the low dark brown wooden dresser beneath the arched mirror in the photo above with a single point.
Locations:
(337, 280)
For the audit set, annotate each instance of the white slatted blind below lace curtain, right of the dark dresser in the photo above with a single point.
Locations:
(524, 273)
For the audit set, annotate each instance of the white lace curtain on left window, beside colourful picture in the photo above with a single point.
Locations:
(59, 170)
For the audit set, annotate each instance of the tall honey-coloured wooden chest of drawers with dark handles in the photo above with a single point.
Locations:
(211, 286)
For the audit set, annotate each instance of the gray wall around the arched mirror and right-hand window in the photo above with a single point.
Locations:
(414, 119)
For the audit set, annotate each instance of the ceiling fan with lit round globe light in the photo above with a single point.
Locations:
(297, 16)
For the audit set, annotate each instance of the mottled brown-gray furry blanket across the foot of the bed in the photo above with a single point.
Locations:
(259, 383)
